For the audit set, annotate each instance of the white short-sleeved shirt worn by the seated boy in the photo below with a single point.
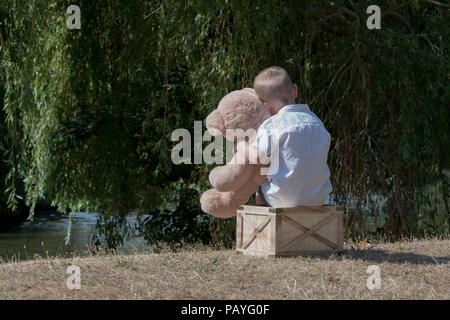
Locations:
(299, 175)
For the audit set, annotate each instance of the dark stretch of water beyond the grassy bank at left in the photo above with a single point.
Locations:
(46, 236)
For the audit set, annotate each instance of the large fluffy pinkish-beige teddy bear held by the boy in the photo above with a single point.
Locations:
(234, 183)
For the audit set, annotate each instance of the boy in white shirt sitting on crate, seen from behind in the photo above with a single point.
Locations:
(296, 142)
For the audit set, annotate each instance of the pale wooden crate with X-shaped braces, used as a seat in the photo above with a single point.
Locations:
(267, 231)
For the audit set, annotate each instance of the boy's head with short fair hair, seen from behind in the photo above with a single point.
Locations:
(275, 88)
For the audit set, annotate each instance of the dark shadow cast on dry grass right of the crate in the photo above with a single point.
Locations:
(379, 256)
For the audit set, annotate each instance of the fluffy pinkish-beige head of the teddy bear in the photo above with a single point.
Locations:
(237, 112)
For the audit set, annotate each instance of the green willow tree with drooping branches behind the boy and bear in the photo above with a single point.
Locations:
(90, 112)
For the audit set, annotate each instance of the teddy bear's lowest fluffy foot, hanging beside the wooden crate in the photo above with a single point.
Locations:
(219, 204)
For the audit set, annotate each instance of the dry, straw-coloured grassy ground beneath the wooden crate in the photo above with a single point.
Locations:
(409, 270)
